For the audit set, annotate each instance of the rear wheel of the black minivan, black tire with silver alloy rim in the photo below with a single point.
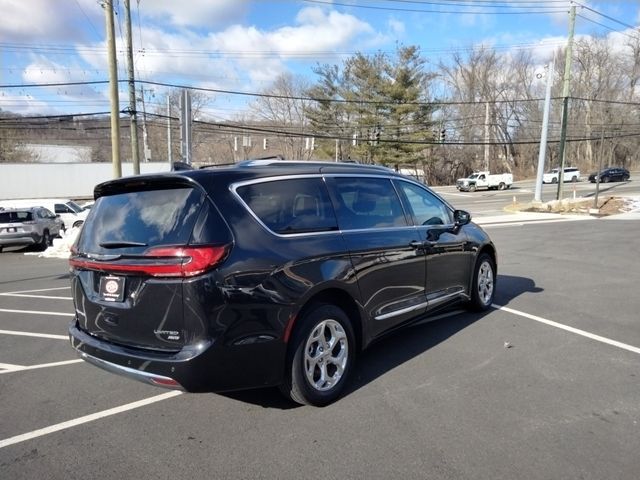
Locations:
(309, 343)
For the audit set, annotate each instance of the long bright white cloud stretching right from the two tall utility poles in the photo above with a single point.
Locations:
(224, 59)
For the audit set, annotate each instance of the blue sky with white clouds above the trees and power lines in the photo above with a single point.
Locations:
(242, 45)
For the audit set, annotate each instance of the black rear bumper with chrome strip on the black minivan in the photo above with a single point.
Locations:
(206, 366)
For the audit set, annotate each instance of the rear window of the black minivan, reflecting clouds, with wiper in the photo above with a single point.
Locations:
(133, 221)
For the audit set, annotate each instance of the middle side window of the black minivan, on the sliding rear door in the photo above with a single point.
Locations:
(365, 203)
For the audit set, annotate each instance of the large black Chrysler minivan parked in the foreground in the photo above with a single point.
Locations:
(266, 273)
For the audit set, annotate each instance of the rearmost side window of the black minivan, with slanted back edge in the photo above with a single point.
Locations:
(299, 205)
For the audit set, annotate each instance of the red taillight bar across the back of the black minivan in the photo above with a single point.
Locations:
(162, 262)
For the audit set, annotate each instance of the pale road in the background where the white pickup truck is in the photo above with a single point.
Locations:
(492, 202)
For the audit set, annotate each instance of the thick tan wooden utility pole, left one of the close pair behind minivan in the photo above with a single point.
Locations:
(113, 89)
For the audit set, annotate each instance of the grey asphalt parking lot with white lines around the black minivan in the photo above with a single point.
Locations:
(543, 386)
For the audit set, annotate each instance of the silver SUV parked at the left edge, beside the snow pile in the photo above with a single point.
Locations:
(28, 226)
